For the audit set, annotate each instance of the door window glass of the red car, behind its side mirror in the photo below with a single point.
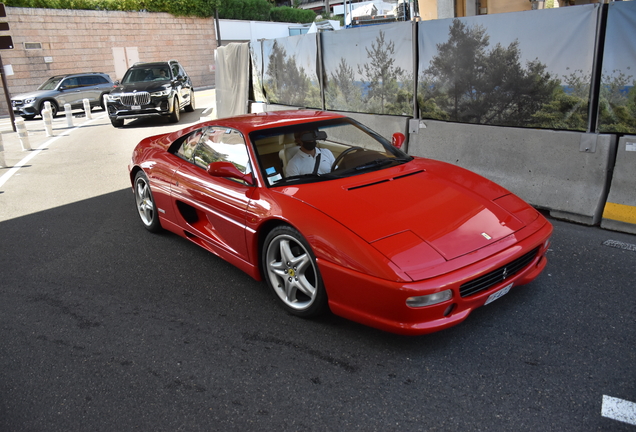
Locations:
(222, 144)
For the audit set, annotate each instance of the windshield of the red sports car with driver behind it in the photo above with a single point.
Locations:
(318, 151)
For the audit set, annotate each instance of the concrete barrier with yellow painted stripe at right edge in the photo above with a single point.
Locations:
(620, 210)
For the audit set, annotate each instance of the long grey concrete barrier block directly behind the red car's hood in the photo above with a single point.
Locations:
(566, 173)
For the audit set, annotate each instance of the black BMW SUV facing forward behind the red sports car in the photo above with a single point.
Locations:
(151, 89)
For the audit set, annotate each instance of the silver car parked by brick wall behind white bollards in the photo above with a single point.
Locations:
(63, 89)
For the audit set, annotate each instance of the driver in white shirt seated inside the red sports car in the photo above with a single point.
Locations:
(309, 159)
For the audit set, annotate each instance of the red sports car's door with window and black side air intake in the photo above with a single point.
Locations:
(214, 208)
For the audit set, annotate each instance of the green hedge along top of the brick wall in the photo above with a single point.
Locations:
(251, 10)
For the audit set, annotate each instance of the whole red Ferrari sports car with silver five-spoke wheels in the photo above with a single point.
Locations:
(335, 217)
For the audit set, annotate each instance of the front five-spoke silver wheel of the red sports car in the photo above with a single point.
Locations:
(292, 273)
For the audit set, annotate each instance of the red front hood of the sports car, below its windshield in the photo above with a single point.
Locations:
(418, 206)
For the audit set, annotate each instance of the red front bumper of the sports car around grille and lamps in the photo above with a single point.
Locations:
(382, 304)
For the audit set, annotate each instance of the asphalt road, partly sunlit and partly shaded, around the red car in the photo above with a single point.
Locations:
(106, 327)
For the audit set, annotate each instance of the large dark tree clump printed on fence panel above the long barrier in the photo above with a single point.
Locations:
(467, 83)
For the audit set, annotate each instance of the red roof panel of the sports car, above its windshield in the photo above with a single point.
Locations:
(267, 120)
